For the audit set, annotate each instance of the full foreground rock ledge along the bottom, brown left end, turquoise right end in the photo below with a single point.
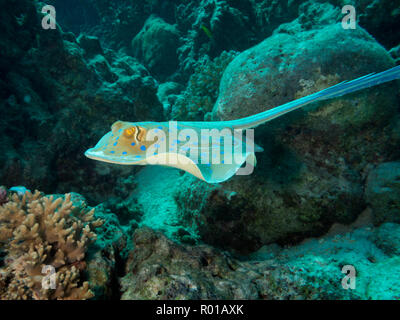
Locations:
(158, 268)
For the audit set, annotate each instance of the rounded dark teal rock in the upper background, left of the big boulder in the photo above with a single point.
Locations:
(156, 45)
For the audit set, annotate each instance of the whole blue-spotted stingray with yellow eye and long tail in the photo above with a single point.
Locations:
(128, 143)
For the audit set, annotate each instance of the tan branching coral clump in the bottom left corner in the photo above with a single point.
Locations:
(35, 231)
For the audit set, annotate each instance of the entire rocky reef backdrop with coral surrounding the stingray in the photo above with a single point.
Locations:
(325, 194)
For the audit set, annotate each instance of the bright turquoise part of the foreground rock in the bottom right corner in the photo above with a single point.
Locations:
(320, 262)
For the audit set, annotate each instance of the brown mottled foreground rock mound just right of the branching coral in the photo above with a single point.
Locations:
(160, 269)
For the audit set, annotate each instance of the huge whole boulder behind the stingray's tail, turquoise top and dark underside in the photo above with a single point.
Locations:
(312, 171)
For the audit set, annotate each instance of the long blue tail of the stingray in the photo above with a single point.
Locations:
(338, 90)
